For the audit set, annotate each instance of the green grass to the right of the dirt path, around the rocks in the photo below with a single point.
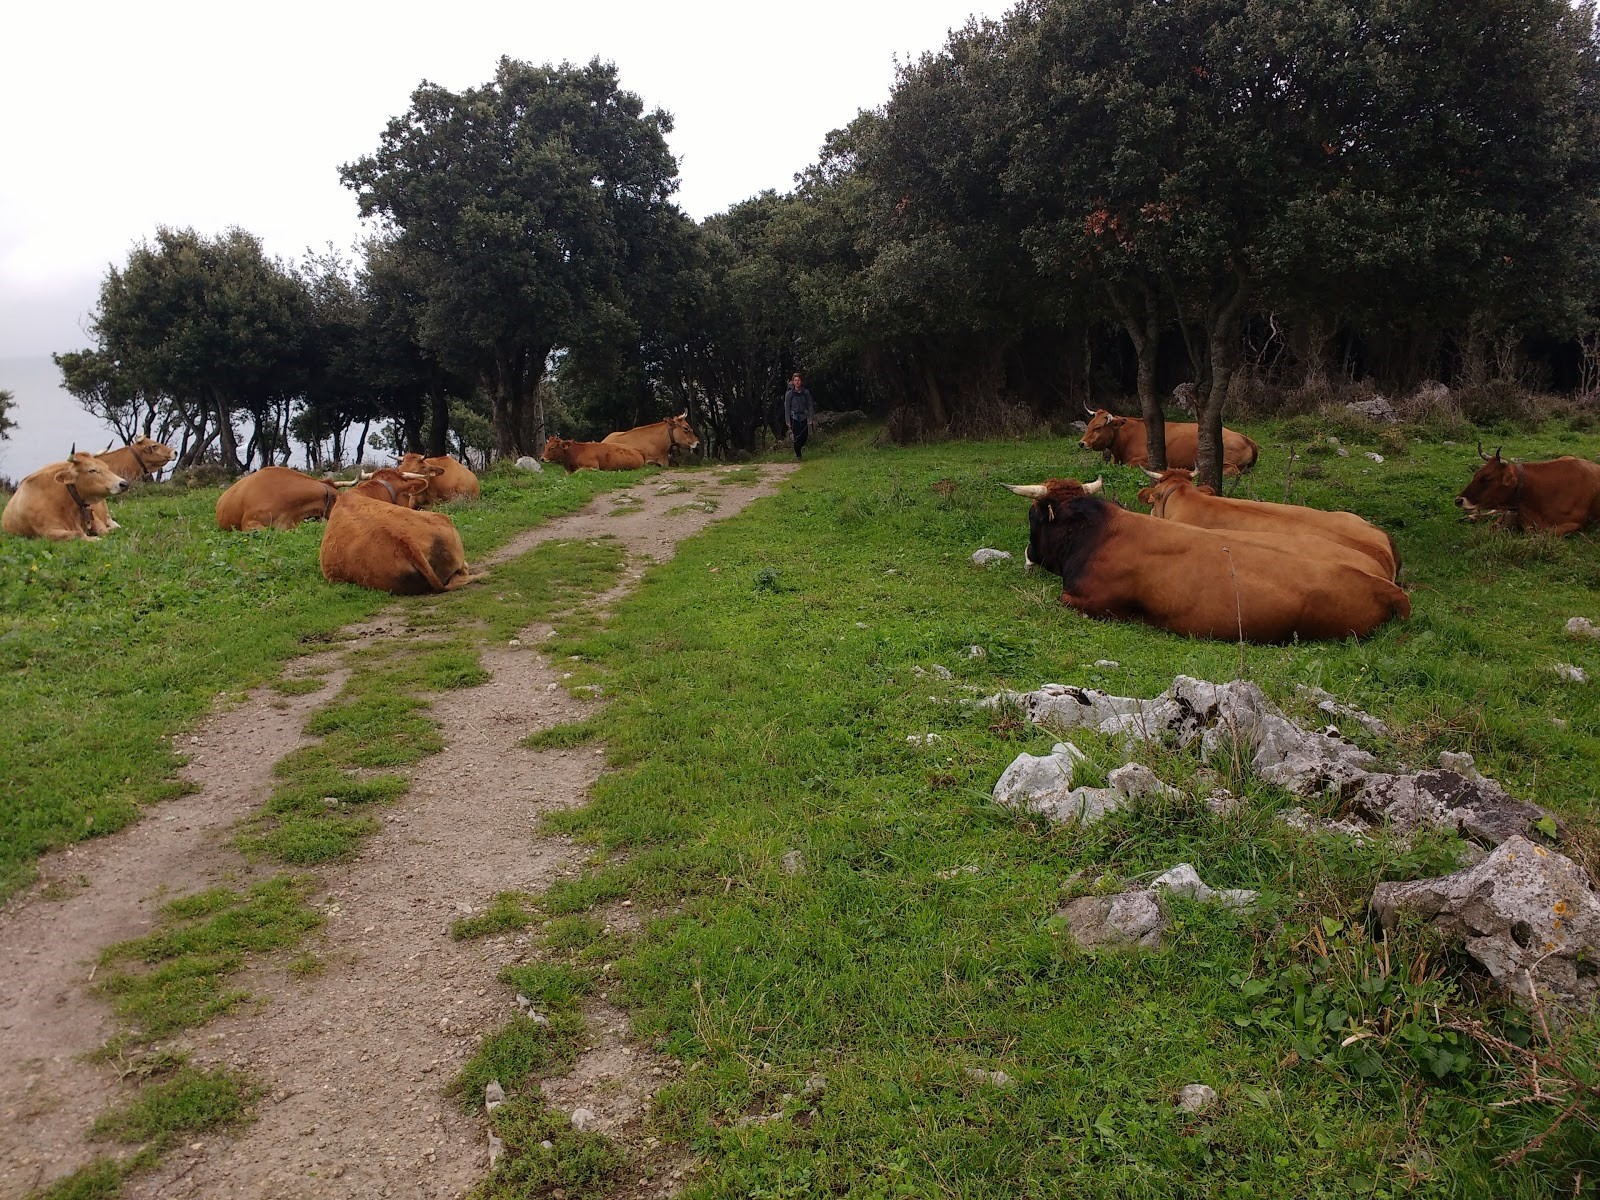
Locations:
(764, 706)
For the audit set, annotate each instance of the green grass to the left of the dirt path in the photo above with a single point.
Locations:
(111, 649)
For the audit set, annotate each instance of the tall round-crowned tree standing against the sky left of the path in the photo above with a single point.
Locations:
(526, 201)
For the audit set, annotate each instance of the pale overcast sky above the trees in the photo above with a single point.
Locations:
(126, 116)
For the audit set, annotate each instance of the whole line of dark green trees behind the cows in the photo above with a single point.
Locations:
(1081, 202)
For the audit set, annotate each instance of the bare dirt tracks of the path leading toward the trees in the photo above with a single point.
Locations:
(356, 1058)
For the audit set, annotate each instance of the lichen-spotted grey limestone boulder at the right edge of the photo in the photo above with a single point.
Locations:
(1524, 910)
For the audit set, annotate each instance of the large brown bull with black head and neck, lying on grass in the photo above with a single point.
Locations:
(1193, 582)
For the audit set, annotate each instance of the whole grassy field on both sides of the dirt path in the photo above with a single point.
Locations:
(764, 692)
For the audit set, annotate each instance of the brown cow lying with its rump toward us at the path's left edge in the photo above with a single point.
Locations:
(377, 540)
